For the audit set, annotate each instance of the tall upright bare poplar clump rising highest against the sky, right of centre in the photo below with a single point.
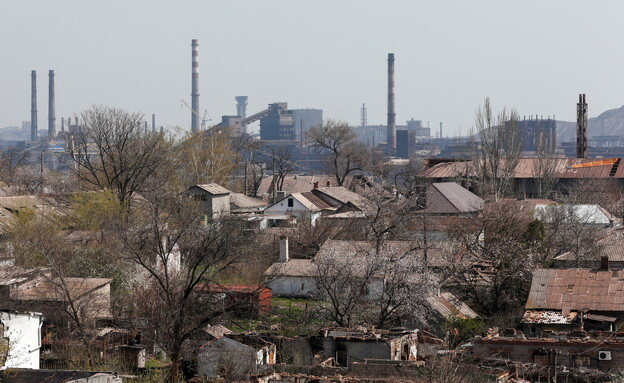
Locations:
(500, 146)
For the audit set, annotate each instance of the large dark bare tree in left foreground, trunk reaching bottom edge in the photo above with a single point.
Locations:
(179, 256)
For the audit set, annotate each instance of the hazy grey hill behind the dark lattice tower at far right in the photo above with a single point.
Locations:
(609, 123)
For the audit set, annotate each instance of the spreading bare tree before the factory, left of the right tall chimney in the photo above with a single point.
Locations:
(337, 141)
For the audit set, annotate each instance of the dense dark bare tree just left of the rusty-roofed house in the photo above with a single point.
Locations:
(491, 266)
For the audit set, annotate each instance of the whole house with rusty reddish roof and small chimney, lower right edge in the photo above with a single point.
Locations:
(575, 299)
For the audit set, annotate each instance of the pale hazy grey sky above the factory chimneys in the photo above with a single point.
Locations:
(535, 56)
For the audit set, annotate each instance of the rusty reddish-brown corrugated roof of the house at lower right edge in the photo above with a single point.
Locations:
(577, 289)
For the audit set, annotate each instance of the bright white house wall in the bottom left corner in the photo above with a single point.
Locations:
(20, 339)
